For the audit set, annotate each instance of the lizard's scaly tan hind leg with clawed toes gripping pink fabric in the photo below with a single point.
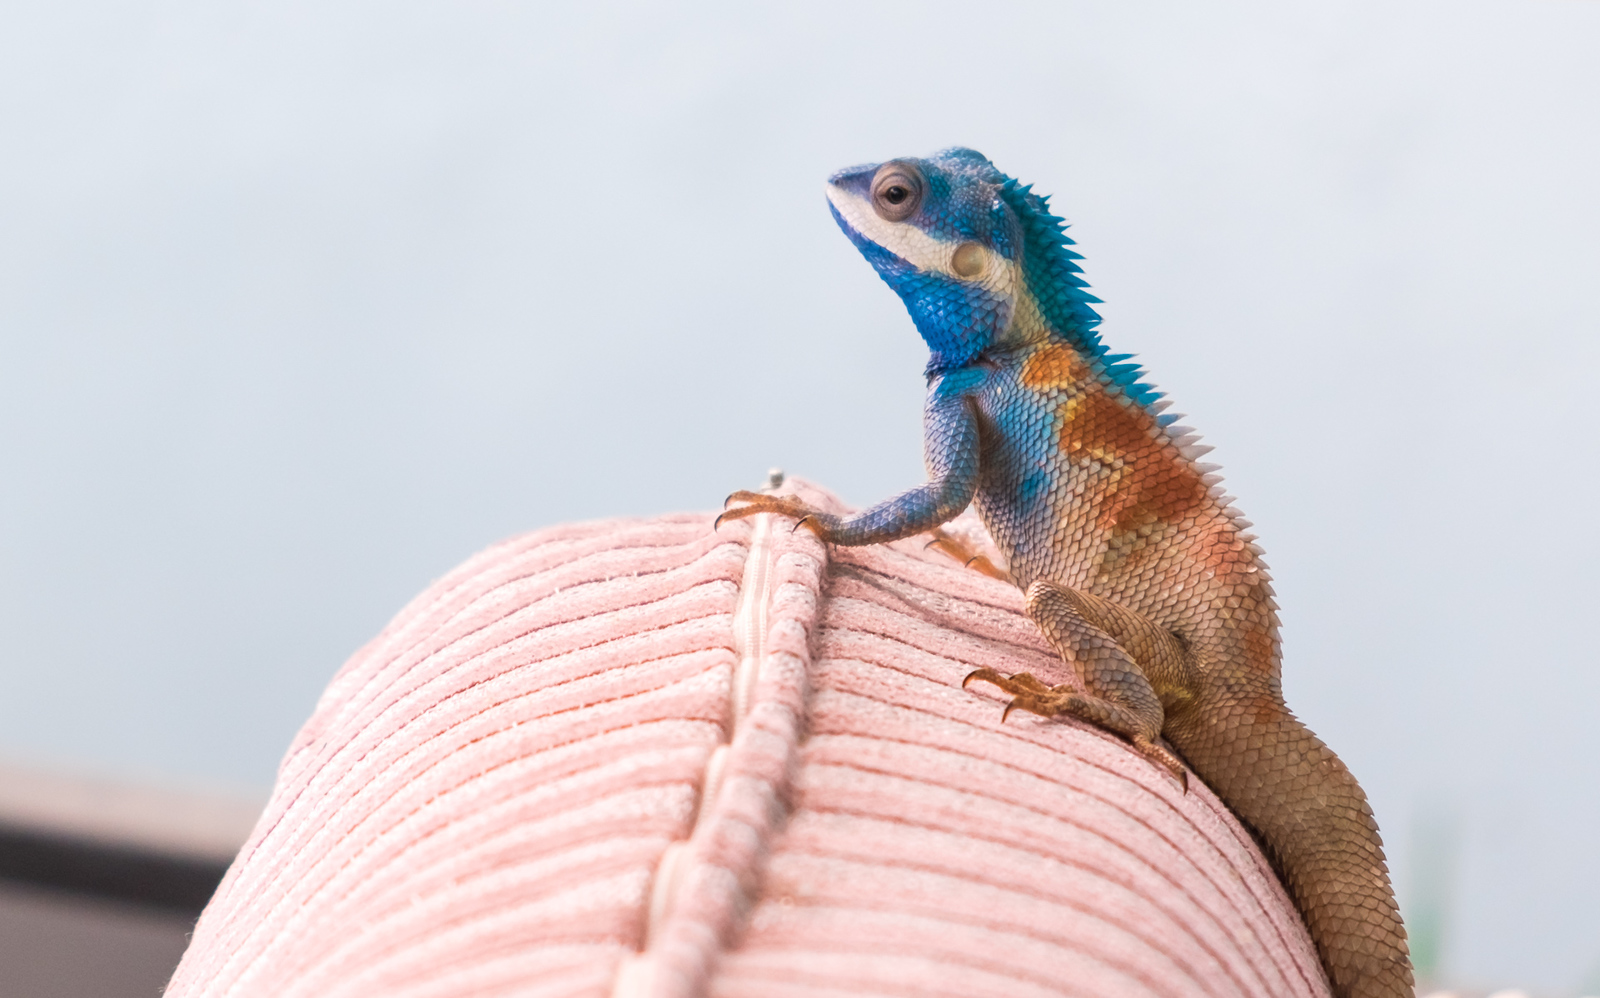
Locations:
(1116, 697)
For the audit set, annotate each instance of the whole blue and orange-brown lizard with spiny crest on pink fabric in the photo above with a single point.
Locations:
(1134, 562)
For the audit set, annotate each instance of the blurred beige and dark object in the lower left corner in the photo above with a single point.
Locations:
(102, 880)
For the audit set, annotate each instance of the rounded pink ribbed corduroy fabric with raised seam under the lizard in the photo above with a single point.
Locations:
(642, 759)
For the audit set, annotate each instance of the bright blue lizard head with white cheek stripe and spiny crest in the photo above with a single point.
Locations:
(977, 258)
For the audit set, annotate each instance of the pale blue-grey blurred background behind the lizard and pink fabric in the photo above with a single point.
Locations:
(305, 303)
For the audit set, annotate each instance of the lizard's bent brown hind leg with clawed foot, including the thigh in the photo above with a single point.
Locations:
(1116, 653)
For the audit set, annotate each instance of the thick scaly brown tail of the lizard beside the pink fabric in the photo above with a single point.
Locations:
(1318, 828)
